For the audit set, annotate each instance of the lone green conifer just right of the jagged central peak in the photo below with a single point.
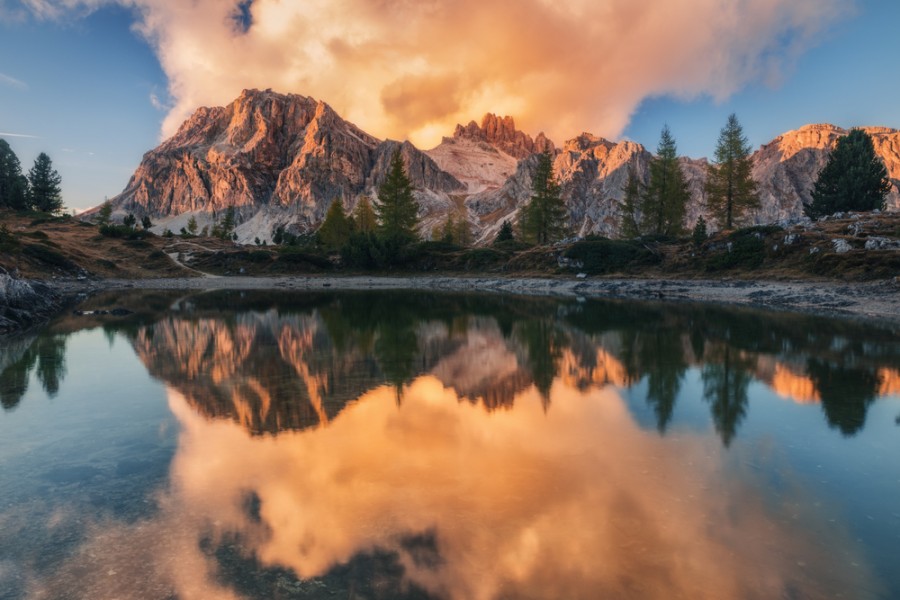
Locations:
(544, 217)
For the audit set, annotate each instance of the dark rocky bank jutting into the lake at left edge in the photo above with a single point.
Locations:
(24, 304)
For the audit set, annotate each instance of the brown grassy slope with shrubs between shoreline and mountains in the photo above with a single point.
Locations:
(43, 248)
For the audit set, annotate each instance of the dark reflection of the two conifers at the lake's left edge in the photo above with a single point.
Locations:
(47, 356)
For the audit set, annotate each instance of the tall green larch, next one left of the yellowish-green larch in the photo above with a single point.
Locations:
(664, 200)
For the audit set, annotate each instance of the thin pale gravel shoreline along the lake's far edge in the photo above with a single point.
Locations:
(878, 301)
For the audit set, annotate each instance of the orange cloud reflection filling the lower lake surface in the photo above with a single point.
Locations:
(576, 502)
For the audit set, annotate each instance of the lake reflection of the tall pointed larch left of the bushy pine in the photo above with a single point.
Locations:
(725, 381)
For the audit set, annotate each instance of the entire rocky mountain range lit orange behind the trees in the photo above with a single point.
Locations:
(281, 159)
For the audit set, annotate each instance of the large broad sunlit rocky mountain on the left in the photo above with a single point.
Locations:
(279, 159)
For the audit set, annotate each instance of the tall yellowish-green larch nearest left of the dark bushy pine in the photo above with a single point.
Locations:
(730, 188)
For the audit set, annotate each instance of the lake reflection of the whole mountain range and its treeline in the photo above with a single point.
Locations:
(275, 362)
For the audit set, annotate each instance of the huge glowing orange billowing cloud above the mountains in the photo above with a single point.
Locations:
(401, 68)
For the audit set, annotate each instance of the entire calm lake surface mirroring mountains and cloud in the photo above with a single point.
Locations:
(401, 445)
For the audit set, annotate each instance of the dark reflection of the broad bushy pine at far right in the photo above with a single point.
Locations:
(846, 393)
